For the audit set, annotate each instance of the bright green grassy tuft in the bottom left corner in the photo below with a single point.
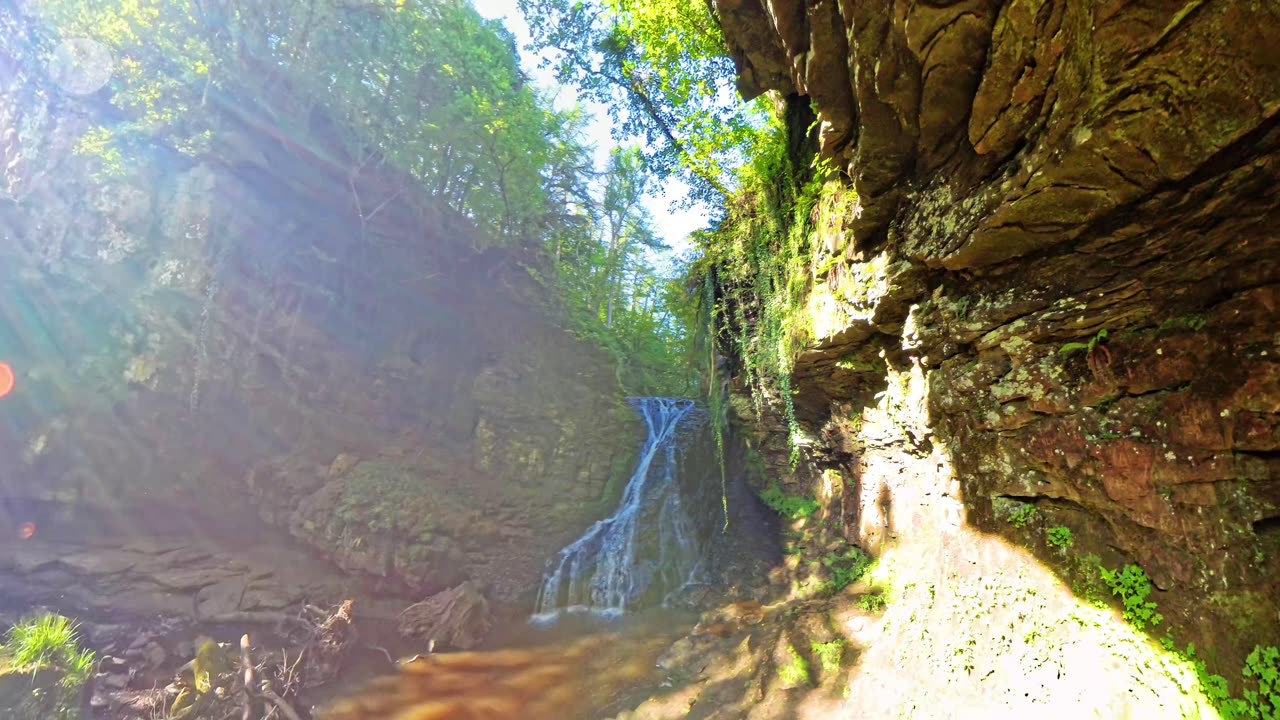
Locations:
(49, 642)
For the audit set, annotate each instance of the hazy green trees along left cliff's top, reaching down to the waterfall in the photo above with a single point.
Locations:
(427, 94)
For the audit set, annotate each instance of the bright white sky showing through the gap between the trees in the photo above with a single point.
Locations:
(671, 222)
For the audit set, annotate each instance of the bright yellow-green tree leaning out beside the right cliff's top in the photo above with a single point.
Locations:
(664, 71)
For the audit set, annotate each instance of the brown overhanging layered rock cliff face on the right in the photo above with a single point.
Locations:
(1055, 286)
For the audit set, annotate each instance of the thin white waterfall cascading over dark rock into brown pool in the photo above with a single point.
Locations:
(648, 549)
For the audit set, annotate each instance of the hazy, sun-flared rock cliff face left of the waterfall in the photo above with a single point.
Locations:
(281, 325)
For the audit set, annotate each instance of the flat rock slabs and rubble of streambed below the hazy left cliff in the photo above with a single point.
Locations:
(149, 585)
